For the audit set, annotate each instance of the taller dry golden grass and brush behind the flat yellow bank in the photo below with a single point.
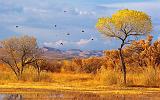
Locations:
(104, 77)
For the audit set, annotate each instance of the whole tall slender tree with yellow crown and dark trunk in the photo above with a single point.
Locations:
(125, 25)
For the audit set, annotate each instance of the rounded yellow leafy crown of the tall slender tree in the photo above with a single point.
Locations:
(128, 21)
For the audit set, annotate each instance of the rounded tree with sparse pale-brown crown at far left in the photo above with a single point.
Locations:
(19, 52)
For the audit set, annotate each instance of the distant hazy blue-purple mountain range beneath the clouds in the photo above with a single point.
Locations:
(53, 53)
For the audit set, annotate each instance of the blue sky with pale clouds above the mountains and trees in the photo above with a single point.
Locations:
(38, 18)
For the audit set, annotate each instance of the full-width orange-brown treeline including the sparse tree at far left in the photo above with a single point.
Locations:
(23, 52)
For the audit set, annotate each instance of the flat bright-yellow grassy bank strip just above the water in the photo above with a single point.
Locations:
(51, 87)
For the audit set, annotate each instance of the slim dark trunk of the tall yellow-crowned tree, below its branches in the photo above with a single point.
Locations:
(123, 65)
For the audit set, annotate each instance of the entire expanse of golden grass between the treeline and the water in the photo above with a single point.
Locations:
(105, 82)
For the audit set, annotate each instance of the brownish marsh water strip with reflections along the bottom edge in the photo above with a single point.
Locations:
(77, 96)
